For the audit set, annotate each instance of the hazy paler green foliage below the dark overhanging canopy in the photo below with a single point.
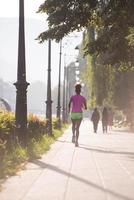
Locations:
(111, 85)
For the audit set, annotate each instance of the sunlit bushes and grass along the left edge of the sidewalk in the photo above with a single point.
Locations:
(14, 156)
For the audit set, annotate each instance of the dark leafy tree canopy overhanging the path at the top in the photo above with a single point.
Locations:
(113, 21)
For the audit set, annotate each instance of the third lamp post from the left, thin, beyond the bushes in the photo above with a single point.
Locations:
(59, 89)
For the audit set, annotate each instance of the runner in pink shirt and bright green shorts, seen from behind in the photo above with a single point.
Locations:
(76, 105)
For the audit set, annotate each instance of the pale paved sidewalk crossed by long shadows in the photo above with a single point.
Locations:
(101, 168)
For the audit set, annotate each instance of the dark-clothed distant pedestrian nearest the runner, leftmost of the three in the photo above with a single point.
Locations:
(95, 119)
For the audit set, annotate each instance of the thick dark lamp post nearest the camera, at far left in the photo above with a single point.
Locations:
(21, 84)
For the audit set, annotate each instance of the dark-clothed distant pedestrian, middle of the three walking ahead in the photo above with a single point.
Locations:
(104, 119)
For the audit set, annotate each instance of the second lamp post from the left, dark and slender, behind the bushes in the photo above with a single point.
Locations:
(49, 101)
